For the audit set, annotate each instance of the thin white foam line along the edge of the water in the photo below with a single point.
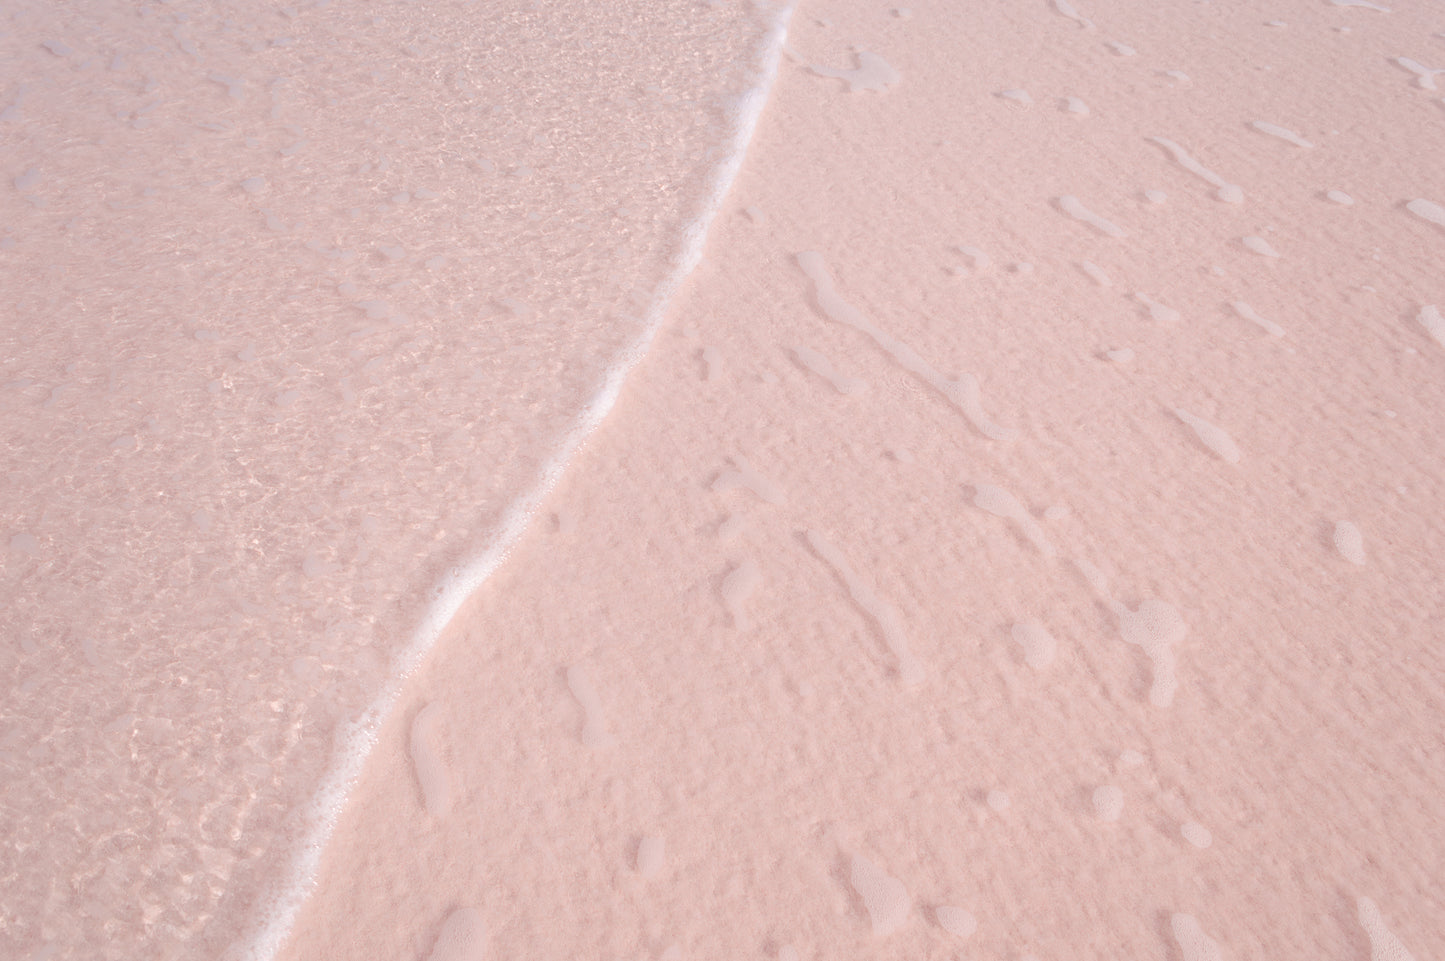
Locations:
(278, 917)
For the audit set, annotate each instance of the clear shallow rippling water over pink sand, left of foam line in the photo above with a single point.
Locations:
(300, 304)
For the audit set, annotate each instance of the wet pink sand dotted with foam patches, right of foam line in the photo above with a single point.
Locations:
(1024, 541)
